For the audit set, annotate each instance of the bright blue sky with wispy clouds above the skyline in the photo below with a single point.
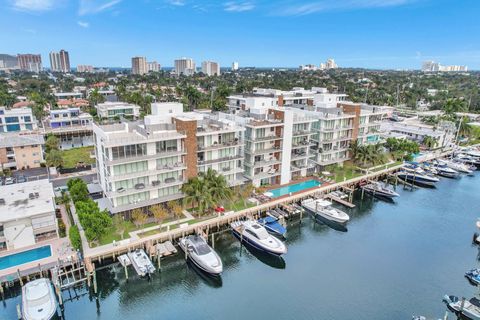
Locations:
(384, 34)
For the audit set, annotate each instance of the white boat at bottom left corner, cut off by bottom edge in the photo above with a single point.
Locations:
(38, 300)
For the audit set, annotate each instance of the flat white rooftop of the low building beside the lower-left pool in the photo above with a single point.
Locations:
(26, 199)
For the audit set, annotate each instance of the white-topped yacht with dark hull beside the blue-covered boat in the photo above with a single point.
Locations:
(255, 235)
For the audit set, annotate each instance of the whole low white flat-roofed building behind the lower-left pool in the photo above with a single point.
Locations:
(27, 214)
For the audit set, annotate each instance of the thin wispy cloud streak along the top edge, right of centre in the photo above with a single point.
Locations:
(327, 5)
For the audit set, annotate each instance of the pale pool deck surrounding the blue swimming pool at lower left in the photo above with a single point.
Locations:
(61, 250)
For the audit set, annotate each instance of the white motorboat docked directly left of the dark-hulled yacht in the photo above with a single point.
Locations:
(201, 254)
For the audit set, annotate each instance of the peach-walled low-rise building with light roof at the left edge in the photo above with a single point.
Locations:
(21, 151)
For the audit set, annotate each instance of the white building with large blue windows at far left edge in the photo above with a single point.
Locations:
(18, 119)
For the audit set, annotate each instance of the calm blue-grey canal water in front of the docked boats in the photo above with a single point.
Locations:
(396, 260)
